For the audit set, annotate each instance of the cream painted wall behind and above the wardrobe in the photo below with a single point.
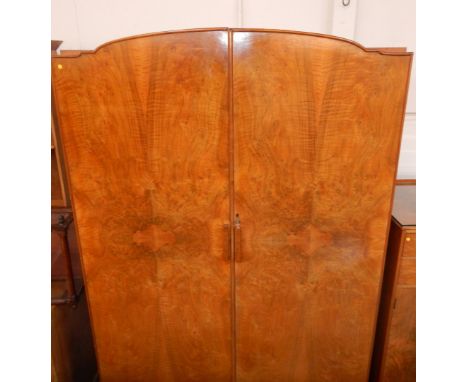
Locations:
(85, 24)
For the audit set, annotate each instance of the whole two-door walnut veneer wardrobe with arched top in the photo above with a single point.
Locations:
(232, 191)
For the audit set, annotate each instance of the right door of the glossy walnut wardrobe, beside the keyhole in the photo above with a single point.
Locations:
(317, 127)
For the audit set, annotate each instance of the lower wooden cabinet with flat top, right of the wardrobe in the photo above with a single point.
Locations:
(395, 345)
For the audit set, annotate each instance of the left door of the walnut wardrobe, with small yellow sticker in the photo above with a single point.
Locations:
(144, 123)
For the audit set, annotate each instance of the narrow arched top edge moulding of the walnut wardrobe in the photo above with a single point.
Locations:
(79, 53)
